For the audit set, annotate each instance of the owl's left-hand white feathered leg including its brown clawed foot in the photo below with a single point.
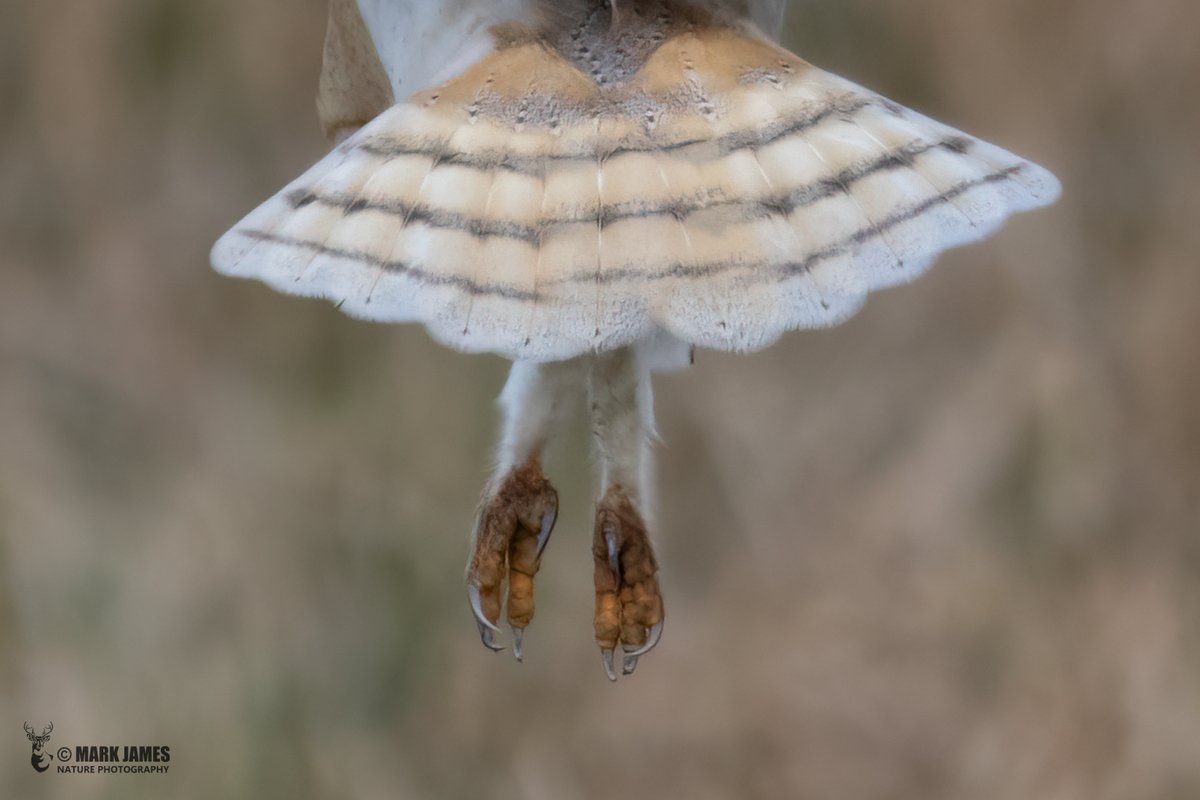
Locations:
(520, 507)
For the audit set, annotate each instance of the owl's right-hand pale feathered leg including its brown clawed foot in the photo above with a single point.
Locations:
(629, 606)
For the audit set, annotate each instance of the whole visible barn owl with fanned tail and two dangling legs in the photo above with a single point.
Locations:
(592, 189)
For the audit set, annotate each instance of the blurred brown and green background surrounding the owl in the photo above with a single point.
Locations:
(949, 550)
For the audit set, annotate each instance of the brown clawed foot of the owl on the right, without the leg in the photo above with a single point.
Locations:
(629, 607)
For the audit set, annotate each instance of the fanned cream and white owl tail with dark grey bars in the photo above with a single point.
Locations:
(556, 200)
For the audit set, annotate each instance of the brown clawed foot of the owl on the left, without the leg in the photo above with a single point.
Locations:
(513, 531)
